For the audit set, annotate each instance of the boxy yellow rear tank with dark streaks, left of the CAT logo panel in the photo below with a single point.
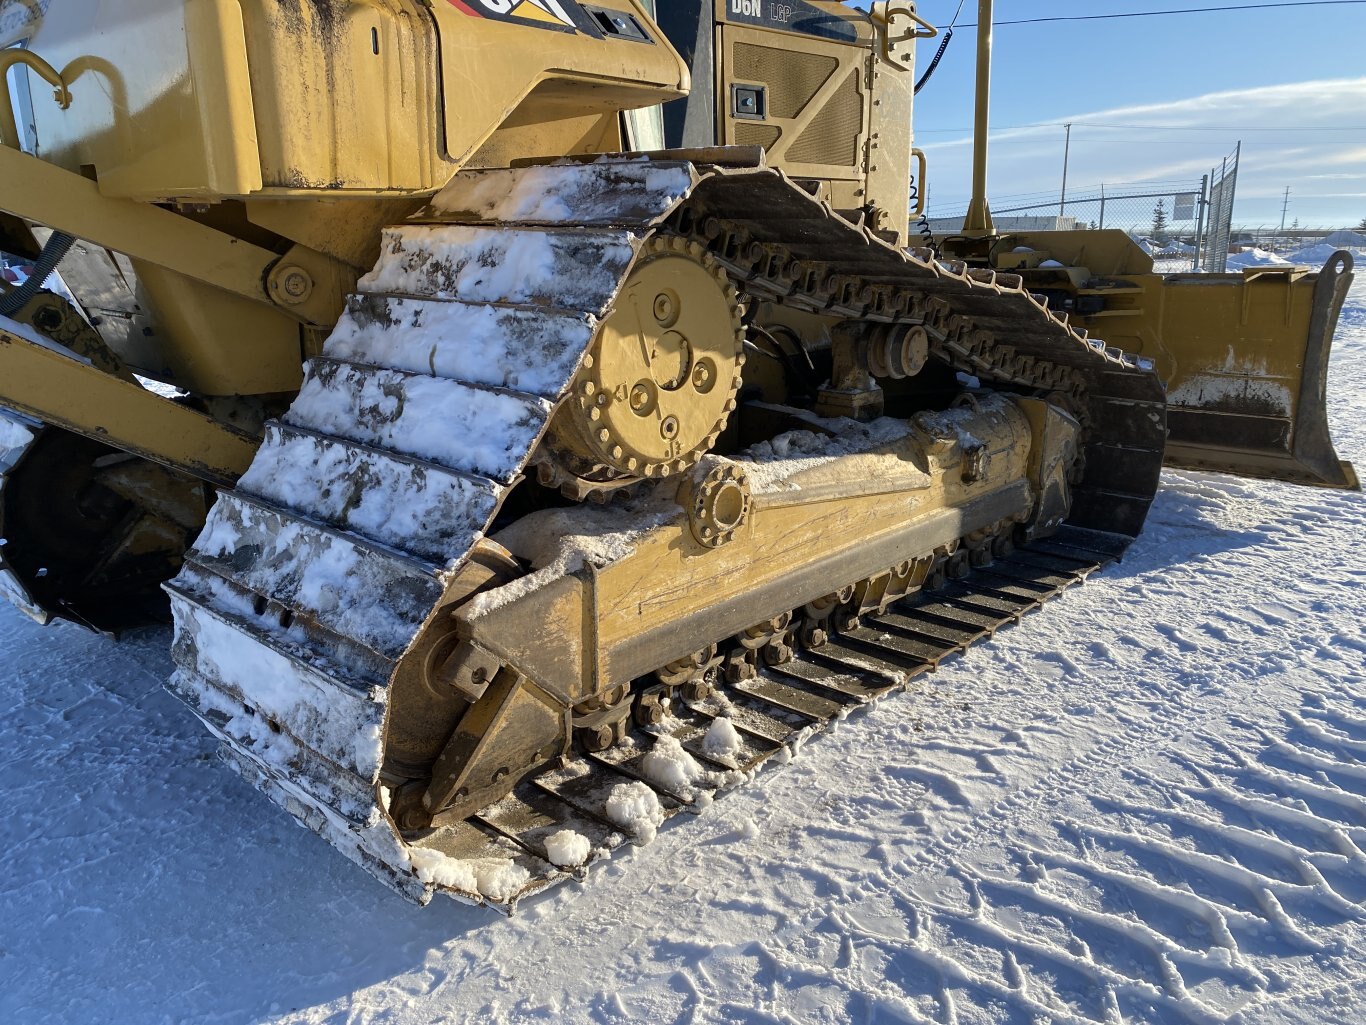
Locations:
(197, 100)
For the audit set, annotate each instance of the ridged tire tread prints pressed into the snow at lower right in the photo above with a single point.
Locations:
(1081, 926)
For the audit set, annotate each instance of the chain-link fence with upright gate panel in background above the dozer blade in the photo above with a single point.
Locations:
(1185, 226)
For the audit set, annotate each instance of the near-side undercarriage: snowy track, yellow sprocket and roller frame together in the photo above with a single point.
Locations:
(622, 535)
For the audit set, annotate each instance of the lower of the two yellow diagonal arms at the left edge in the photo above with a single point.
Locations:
(42, 381)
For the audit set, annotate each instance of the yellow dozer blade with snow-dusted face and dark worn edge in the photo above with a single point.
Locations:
(1251, 382)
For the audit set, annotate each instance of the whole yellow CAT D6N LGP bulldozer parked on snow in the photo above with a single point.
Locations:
(535, 415)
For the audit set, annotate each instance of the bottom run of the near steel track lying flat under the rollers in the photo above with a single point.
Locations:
(781, 710)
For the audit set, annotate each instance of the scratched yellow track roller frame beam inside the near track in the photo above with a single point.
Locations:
(830, 525)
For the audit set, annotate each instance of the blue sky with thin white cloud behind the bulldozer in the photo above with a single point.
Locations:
(1221, 76)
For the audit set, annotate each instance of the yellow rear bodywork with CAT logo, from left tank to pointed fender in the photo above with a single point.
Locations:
(200, 100)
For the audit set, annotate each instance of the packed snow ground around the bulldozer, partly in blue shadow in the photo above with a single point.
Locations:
(1145, 804)
